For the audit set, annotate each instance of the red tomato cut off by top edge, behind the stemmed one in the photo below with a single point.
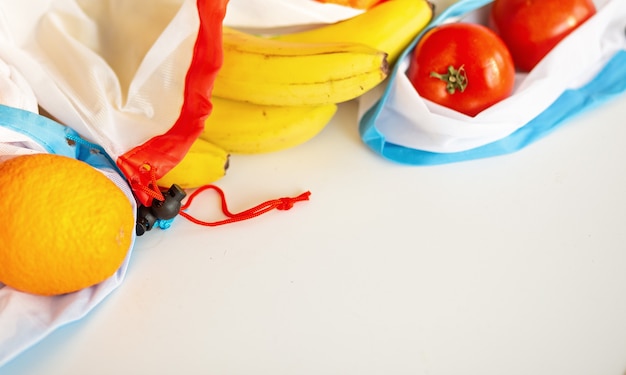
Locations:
(531, 28)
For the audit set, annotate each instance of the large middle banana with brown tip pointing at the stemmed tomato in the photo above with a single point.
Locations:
(271, 72)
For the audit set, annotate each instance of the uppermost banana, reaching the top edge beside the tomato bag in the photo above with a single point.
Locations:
(389, 26)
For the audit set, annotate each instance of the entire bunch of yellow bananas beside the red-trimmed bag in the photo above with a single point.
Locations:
(273, 93)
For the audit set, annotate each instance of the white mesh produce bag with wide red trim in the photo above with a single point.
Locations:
(133, 76)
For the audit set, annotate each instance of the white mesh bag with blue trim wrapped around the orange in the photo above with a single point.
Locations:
(25, 318)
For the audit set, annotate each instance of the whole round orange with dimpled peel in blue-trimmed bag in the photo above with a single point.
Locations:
(66, 226)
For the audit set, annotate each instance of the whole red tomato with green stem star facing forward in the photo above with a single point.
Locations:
(463, 66)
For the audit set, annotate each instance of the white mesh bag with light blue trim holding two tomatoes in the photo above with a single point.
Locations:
(585, 69)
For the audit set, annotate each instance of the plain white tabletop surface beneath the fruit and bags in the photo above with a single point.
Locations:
(509, 265)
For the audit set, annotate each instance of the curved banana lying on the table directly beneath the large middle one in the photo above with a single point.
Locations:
(247, 128)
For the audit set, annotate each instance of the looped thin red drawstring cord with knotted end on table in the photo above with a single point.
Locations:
(278, 204)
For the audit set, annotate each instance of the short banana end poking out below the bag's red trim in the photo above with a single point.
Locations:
(203, 164)
